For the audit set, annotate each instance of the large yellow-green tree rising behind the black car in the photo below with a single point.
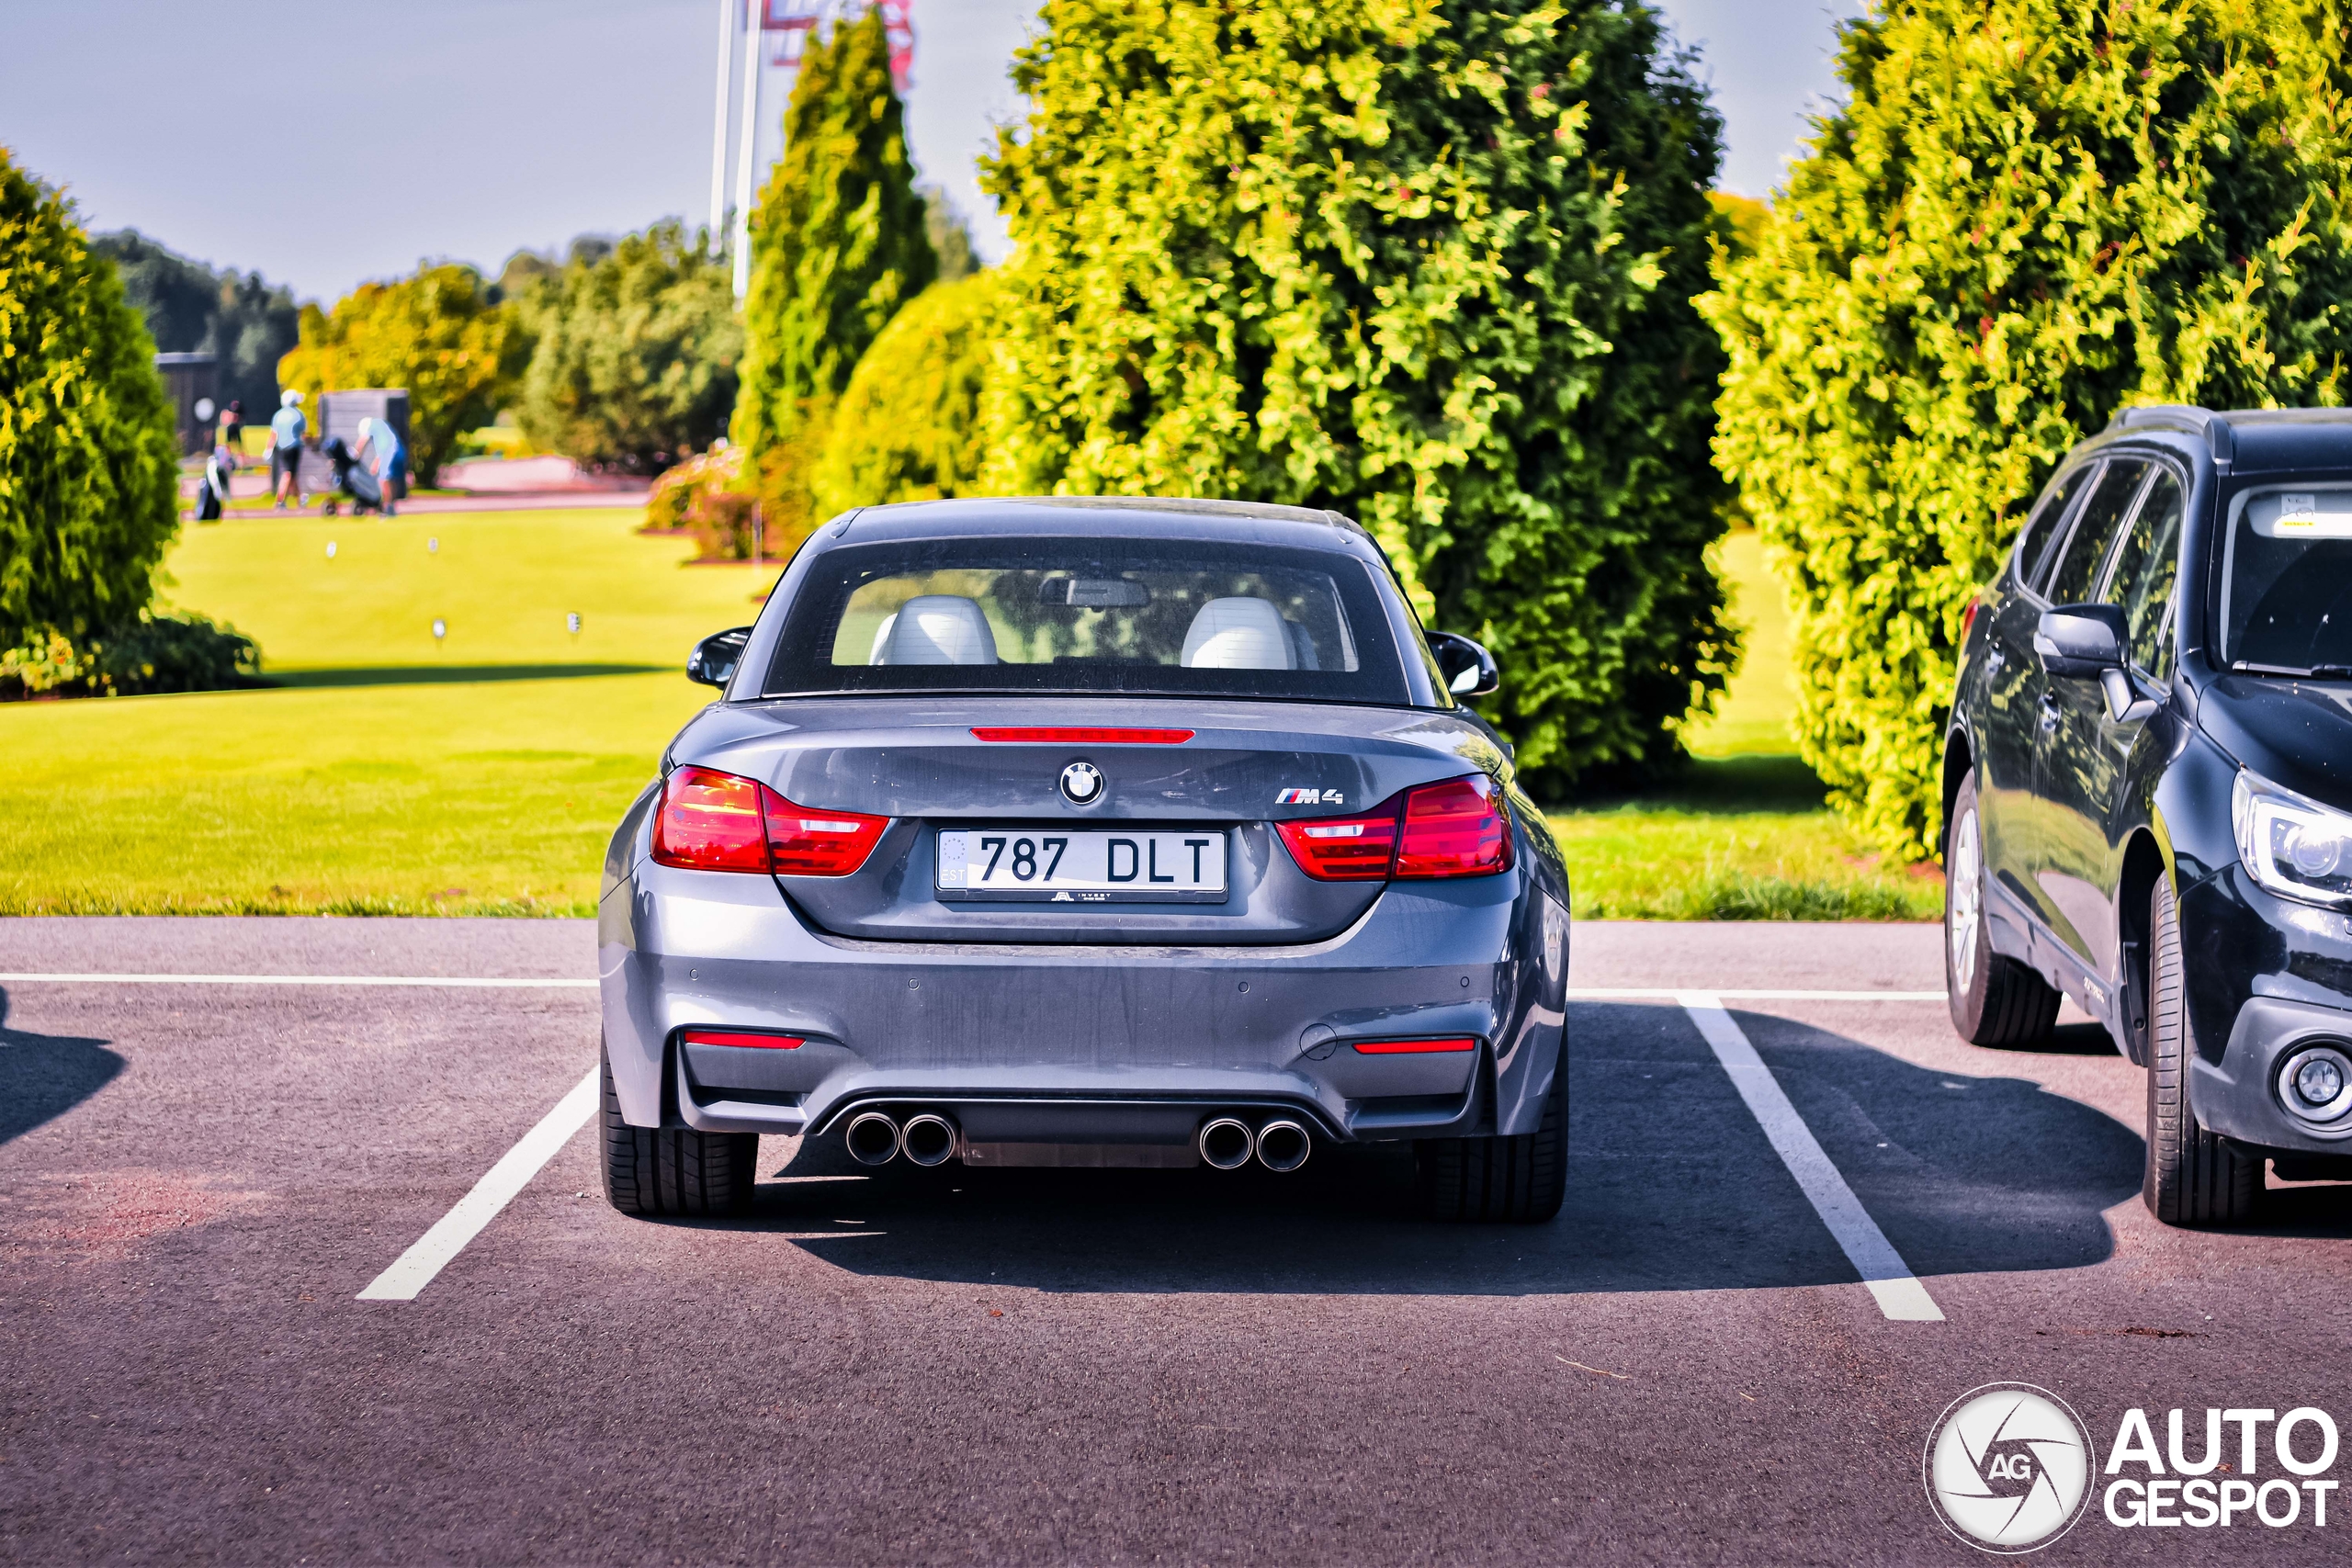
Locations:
(2029, 215)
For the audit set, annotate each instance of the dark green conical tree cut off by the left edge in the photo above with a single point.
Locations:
(88, 450)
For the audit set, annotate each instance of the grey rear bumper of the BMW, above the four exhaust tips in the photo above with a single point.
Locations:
(1083, 1045)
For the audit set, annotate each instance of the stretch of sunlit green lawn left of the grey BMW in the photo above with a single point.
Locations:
(387, 775)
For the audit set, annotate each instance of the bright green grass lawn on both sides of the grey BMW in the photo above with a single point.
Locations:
(481, 775)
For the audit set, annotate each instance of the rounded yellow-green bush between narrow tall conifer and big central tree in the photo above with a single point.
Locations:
(909, 427)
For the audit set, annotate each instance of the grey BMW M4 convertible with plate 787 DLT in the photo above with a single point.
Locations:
(1088, 833)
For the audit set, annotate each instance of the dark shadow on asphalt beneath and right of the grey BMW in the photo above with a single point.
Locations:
(1671, 1188)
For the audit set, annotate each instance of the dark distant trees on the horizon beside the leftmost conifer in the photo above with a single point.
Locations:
(192, 309)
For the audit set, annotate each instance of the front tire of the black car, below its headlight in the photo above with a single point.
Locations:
(2193, 1177)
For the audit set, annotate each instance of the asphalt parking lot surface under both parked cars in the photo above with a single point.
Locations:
(201, 1179)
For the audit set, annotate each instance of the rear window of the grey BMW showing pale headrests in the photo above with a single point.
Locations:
(1088, 615)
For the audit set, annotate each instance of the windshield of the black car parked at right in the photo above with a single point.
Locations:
(2287, 579)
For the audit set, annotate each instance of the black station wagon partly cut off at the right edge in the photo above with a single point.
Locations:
(2149, 789)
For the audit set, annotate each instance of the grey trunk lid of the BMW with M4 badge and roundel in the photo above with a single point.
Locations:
(926, 765)
